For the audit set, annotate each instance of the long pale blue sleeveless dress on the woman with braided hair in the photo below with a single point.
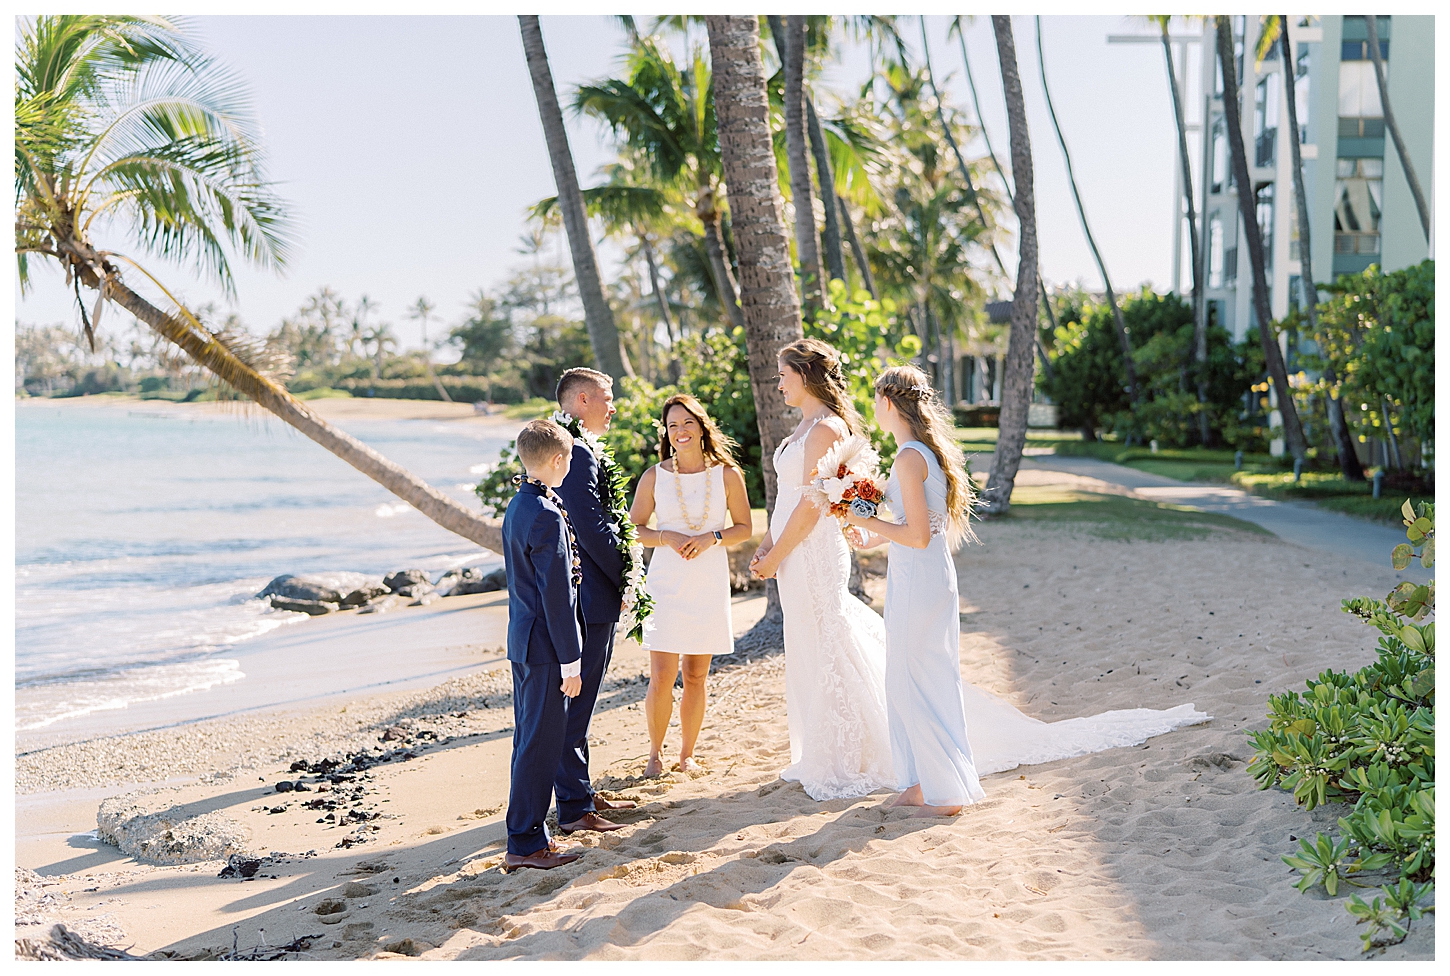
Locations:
(924, 701)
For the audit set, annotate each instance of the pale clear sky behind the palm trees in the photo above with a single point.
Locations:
(410, 147)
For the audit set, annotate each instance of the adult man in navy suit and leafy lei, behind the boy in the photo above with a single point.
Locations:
(587, 397)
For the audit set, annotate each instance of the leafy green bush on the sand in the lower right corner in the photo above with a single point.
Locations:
(1370, 739)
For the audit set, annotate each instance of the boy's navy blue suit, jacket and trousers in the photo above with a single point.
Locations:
(544, 633)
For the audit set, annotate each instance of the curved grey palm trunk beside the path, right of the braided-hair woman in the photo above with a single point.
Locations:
(1017, 388)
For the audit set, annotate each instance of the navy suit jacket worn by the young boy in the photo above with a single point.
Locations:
(544, 626)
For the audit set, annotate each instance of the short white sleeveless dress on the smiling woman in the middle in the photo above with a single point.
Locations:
(691, 597)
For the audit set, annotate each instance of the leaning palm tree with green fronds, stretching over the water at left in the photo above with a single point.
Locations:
(120, 121)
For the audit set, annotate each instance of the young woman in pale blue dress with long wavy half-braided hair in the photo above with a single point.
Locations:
(932, 497)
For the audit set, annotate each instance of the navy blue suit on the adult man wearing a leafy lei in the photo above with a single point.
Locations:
(587, 500)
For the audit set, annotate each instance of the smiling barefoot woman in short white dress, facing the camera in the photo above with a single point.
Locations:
(698, 498)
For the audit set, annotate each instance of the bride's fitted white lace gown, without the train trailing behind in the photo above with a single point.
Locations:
(836, 653)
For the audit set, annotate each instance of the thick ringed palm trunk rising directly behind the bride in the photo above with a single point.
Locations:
(769, 301)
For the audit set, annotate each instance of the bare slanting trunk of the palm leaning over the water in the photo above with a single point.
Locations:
(215, 357)
